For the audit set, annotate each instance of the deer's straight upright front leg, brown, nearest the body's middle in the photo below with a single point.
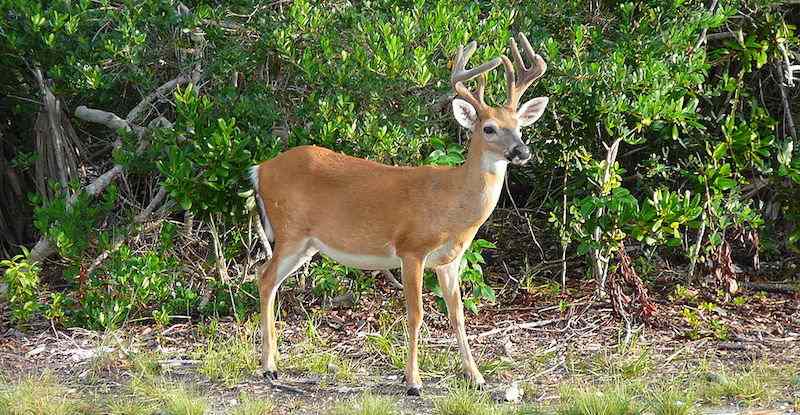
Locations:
(412, 288)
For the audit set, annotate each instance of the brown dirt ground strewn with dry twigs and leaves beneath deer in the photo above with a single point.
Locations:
(541, 340)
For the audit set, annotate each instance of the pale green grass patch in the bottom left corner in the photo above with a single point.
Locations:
(41, 395)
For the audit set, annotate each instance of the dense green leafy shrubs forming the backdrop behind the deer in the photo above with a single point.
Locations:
(669, 131)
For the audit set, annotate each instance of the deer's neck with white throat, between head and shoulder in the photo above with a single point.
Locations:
(483, 174)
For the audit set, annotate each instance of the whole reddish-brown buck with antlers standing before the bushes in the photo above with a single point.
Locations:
(373, 216)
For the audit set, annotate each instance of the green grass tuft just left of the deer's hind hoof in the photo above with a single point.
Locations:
(228, 360)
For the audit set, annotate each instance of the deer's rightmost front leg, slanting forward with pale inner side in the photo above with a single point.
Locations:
(449, 283)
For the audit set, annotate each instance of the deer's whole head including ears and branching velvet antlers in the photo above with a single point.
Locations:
(499, 127)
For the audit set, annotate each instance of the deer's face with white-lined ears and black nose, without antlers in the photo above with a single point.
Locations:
(500, 128)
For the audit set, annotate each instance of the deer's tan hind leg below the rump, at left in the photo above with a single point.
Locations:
(285, 260)
